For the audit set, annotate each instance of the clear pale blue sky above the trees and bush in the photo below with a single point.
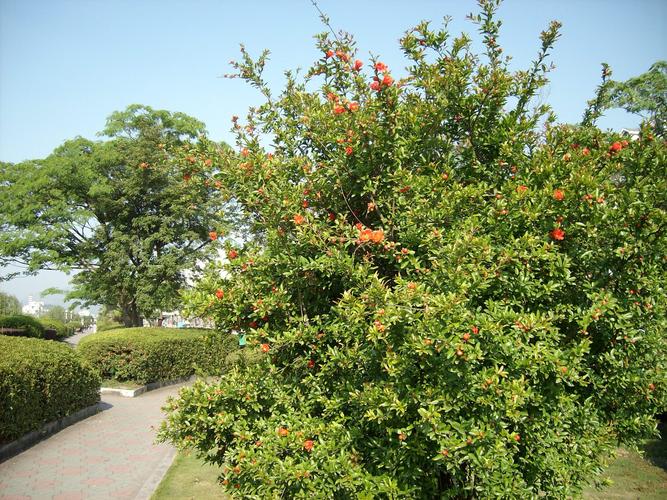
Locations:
(65, 65)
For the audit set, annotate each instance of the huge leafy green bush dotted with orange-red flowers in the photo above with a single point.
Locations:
(452, 300)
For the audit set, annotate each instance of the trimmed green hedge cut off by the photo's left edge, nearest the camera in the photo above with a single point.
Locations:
(41, 381)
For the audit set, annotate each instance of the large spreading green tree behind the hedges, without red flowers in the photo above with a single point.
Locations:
(119, 211)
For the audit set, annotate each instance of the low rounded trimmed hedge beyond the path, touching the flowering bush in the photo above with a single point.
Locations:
(146, 355)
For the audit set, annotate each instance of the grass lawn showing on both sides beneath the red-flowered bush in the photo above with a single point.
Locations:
(632, 477)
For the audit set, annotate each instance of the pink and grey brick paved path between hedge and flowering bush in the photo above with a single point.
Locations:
(109, 455)
